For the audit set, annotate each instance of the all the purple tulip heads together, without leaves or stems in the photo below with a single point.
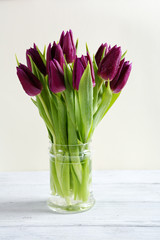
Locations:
(110, 66)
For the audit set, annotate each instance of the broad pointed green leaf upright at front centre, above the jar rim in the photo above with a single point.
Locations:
(85, 94)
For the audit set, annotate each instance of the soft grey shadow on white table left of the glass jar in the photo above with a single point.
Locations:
(29, 207)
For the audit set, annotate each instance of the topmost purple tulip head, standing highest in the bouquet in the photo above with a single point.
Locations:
(68, 46)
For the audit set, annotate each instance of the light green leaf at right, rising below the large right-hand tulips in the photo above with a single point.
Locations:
(106, 99)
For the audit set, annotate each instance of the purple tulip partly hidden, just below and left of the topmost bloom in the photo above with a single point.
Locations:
(55, 52)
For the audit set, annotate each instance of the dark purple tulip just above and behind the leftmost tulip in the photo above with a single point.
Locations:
(33, 52)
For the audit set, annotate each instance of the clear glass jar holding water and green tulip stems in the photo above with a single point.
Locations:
(70, 178)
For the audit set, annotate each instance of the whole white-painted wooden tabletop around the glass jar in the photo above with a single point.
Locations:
(127, 208)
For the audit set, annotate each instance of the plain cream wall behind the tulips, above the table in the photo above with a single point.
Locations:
(129, 136)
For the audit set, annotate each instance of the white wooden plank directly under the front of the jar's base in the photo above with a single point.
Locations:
(104, 213)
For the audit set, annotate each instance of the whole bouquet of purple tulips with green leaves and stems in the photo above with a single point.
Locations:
(72, 95)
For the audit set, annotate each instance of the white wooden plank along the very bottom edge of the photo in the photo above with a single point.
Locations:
(80, 232)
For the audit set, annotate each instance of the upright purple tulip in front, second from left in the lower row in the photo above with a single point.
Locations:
(56, 77)
